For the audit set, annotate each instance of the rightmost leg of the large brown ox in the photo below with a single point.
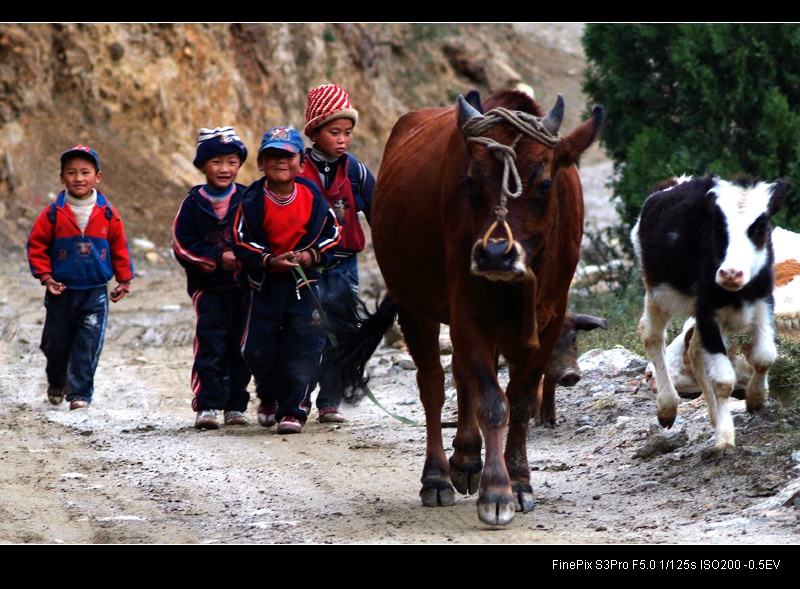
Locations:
(520, 398)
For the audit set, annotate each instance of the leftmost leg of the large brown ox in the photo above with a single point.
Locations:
(422, 339)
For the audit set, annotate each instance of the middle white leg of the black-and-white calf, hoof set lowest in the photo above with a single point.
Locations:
(715, 375)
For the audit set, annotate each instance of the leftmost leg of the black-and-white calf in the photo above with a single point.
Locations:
(652, 329)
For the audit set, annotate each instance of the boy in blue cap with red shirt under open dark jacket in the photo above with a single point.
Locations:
(285, 233)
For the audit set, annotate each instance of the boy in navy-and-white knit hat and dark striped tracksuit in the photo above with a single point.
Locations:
(202, 241)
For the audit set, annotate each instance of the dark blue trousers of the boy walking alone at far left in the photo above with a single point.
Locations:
(72, 339)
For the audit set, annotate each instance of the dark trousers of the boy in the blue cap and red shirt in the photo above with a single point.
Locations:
(282, 343)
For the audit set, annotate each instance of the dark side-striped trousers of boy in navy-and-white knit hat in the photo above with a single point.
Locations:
(219, 374)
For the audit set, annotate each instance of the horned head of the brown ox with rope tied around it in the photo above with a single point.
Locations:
(515, 156)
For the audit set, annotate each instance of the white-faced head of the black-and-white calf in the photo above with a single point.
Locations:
(742, 236)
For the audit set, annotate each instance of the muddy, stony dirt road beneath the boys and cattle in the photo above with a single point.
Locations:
(132, 469)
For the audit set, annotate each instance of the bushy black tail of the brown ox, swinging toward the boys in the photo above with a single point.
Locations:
(346, 363)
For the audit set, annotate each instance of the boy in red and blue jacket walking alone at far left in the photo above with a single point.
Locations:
(76, 245)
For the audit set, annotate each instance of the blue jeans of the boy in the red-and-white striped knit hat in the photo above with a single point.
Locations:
(338, 295)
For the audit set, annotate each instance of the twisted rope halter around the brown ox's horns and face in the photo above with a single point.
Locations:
(527, 124)
